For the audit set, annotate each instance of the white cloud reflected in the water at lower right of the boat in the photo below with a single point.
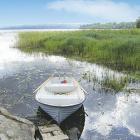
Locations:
(126, 114)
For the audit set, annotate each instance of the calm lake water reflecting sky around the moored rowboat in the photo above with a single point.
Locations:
(104, 116)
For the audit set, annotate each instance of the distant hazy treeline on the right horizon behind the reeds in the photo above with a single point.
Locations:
(121, 25)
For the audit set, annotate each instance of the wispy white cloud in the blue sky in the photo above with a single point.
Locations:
(103, 9)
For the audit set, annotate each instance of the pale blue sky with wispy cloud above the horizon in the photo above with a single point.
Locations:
(36, 12)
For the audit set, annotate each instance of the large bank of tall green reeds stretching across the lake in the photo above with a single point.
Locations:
(117, 49)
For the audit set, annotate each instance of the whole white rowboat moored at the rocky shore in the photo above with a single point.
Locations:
(60, 97)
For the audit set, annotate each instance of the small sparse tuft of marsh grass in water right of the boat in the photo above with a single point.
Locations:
(107, 82)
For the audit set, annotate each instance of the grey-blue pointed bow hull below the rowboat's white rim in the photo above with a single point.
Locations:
(59, 114)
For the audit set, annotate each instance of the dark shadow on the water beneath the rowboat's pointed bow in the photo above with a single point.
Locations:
(72, 126)
